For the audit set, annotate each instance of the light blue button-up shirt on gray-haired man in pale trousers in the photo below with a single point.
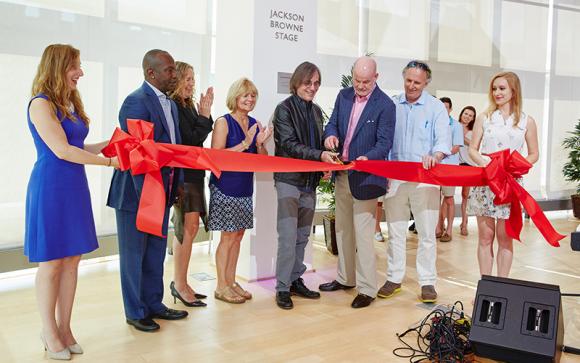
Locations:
(422, 128)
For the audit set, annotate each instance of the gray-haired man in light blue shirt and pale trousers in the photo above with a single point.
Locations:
(422, 134)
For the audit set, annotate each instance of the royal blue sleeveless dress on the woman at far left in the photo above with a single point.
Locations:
(59, 217)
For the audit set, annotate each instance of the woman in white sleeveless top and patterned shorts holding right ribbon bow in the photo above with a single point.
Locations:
(502, 126)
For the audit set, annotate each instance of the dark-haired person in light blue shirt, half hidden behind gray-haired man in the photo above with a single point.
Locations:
(447, 210)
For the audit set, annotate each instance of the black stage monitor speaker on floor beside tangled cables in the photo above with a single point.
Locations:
(517, 321)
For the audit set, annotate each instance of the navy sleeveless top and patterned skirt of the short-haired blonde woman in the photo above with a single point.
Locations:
(230, 204)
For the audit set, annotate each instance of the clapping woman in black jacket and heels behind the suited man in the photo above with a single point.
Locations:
(194, 126)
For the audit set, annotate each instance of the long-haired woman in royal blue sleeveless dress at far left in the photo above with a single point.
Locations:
(59, 219)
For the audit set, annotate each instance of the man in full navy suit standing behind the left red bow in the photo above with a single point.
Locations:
(141, 255)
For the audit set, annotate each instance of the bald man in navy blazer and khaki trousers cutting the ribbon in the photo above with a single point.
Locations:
(361, 127)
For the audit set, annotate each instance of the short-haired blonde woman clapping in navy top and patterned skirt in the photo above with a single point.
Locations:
(230, 204)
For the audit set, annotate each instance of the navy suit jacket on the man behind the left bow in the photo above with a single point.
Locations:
(125, 190)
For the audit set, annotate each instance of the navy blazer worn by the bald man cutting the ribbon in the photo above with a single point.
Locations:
(373, 137)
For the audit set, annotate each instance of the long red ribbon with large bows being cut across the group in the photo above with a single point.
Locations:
(137, 152)
